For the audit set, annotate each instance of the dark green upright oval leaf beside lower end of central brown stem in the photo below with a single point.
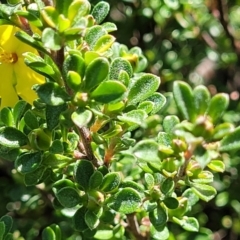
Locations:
(82, 172)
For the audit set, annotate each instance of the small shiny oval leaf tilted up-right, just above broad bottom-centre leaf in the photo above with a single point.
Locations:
(110, 182)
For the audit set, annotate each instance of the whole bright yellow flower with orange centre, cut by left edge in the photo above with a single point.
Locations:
(16, 79)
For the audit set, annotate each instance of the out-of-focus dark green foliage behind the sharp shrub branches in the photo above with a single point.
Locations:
(197, 41)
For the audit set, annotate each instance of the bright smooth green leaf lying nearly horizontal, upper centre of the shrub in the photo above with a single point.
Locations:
(108, 91)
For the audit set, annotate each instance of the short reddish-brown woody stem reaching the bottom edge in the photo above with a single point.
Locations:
(133, 227)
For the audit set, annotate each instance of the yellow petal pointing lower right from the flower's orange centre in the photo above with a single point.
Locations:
(26, 78)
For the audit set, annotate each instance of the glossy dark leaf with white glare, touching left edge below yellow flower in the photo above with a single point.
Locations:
(12, 138)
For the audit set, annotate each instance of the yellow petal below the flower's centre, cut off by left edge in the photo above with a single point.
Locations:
(7, 92)
